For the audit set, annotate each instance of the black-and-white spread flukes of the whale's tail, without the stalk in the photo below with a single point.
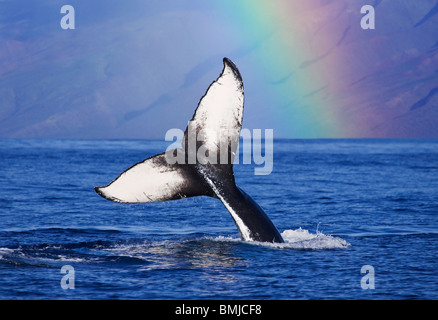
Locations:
(210, 141)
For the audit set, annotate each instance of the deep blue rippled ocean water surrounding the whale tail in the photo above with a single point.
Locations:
(359, 217)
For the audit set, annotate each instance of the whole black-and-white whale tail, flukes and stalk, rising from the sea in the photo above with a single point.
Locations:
(204, 163)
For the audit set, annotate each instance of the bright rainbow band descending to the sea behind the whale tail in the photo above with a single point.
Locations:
(300, 47)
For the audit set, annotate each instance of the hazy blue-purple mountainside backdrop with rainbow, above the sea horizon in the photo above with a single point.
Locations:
(135, 69)
